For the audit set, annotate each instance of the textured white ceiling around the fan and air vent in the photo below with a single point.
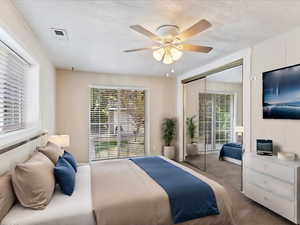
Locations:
(99, 30)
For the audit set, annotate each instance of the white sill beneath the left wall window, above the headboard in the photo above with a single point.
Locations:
(15, 137)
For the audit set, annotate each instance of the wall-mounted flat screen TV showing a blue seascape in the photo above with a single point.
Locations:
(281, 93)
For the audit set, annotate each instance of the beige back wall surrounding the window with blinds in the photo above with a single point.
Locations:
(73, 105)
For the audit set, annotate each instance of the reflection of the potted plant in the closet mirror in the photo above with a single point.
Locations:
(192, 148)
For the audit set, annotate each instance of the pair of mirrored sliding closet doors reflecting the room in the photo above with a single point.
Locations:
(213, 114)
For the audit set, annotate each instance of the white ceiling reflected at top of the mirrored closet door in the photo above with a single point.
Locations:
(233, 75)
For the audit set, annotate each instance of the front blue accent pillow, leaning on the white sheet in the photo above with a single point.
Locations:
(65, 176)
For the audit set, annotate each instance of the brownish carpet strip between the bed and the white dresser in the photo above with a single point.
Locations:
(247, 212)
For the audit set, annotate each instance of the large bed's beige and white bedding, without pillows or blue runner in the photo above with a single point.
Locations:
(104, 196)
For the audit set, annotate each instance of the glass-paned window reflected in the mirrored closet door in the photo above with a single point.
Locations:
(216, 119)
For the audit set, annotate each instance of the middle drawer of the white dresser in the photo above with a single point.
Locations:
(277, 187)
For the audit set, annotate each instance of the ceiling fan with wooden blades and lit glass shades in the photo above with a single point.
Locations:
(169, 41)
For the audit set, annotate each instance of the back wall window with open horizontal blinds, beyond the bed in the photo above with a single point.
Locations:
(117, 123)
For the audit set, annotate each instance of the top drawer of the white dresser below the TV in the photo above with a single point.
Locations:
(276, 170)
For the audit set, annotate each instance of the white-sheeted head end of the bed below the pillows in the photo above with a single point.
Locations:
(62, 210)
